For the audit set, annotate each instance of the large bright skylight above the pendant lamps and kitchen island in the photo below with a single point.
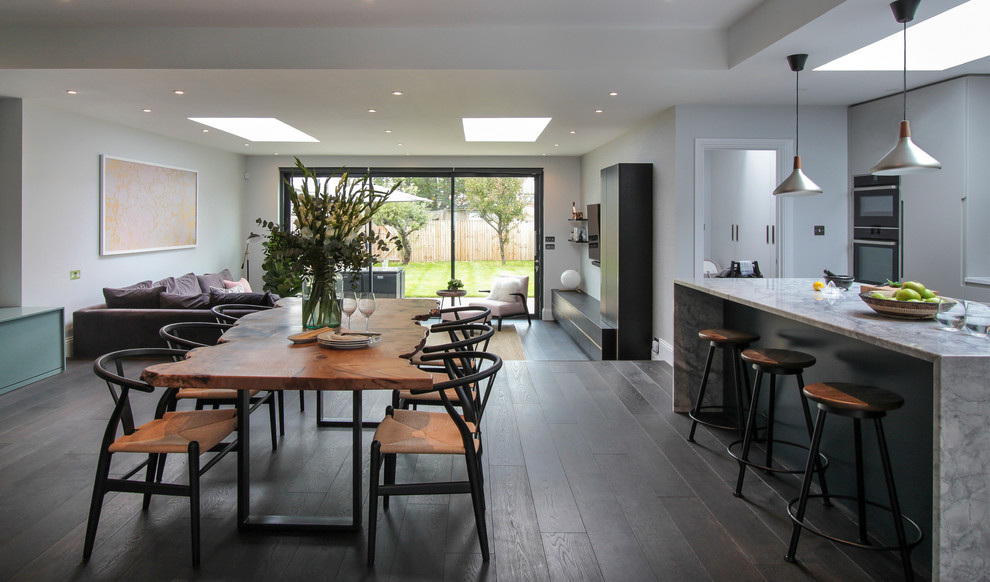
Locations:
(950, 39)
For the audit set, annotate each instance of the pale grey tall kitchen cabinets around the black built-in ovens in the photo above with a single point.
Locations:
(941, 124)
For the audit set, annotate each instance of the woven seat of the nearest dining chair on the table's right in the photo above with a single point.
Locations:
(419, 432)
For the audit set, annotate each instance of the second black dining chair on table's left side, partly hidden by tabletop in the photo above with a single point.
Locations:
(180, 336)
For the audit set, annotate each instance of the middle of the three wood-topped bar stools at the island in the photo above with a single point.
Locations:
(775, 362)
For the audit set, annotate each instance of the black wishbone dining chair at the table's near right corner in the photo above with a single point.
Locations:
(455, 431)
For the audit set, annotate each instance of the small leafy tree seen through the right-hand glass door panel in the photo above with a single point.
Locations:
(499, 202)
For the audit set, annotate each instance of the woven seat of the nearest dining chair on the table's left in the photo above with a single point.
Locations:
(175, 430)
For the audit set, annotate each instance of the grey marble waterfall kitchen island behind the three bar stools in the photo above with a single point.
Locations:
(940, 439)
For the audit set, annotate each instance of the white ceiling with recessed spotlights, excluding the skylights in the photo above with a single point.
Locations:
(319, 65)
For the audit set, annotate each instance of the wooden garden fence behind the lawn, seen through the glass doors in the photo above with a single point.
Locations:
(475, 240)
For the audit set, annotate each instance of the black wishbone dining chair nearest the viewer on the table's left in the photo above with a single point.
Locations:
(191, 433)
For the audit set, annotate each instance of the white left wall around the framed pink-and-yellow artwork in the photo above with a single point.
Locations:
(61, 208)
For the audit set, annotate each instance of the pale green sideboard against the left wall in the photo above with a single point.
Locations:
(32, 345)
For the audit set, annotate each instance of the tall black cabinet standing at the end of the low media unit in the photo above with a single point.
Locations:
(627, 258)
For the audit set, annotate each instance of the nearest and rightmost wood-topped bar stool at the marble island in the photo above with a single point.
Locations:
(858, 402)
